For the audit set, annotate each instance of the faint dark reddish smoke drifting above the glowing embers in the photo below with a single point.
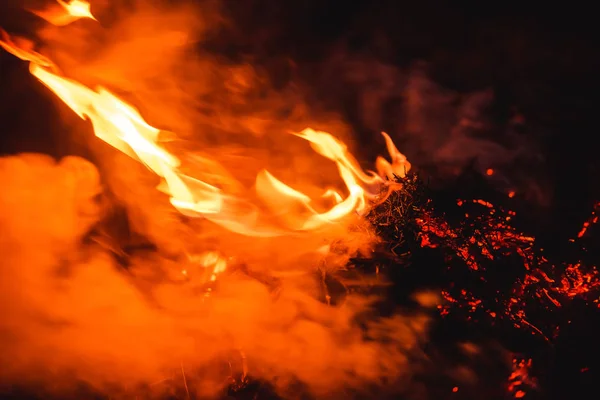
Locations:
(442, 131)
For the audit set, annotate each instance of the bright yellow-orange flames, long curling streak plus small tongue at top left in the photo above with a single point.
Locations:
(289, 210)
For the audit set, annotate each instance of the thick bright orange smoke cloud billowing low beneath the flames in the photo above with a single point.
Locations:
(69, 310)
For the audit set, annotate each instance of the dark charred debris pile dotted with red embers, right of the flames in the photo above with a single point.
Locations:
(490, 275)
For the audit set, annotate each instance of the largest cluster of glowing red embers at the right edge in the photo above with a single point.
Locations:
(487, 235)
